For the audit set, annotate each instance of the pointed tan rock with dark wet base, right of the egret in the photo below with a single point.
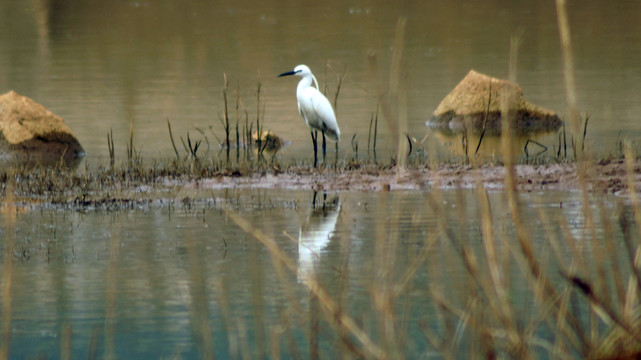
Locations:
(475, 104)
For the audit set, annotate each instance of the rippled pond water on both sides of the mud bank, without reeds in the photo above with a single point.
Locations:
(152, 280)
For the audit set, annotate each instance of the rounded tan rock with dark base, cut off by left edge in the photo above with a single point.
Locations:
(30, 132)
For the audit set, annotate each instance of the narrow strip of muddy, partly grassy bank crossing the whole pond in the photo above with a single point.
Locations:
(140, 187)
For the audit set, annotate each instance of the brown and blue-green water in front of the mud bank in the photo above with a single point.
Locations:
(156, 276)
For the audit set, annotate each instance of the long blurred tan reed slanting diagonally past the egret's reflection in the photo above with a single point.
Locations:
(336, 316)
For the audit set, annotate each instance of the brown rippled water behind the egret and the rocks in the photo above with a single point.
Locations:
(100, 64)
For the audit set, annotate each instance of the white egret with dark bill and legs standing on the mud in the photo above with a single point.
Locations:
(314, 107)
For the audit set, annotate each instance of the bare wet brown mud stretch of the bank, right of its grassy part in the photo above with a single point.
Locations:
(604, 177)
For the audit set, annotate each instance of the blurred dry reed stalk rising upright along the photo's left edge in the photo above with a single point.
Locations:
(7, 266)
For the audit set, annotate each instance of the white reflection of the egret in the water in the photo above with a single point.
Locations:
(315, 234)
